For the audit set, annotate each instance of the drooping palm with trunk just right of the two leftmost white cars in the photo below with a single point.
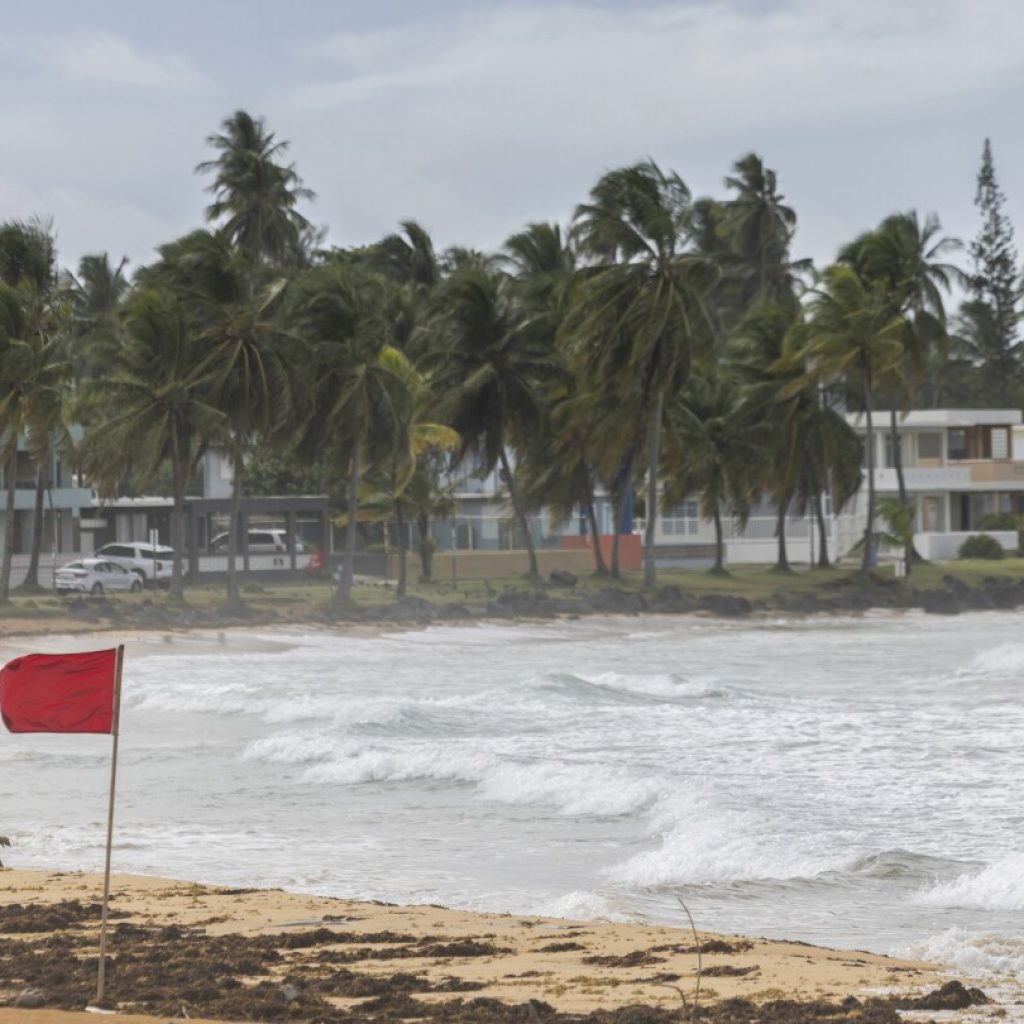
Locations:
(151, 408)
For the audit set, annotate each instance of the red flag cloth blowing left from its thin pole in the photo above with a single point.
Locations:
(59, 693)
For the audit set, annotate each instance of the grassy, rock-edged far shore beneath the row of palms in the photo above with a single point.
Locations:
(736, 600)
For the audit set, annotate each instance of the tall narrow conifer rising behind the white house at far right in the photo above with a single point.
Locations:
(990, 319)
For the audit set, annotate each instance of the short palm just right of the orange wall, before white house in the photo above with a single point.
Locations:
(713, 452)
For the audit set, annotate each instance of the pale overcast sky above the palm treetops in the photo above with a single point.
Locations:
(476, 118)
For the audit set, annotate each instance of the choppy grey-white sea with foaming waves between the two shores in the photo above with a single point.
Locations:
(854, 783)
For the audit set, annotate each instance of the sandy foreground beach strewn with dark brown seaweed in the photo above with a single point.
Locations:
(371, 959)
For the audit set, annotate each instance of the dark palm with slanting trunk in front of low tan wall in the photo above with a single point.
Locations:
(491, 364)
